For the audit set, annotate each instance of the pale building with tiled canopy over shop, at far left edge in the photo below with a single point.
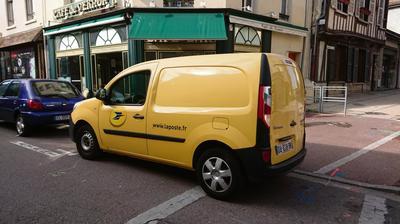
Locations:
(21, 39)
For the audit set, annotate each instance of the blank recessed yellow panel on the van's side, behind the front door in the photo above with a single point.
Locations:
(203, 87)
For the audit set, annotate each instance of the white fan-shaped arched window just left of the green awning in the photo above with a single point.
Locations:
(108, 36)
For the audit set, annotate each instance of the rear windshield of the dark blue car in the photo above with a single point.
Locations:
(54, 89)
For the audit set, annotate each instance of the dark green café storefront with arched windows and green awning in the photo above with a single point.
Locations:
(92, 50)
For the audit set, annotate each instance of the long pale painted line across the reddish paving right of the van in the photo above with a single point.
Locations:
(357, 154)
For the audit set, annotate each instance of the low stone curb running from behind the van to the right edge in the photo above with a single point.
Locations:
(385, 188)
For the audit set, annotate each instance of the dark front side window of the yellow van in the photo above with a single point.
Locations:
(130, 89)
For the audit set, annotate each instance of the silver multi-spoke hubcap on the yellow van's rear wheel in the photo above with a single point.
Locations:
(217, 174)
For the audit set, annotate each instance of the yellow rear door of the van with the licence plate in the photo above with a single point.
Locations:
(286, 137)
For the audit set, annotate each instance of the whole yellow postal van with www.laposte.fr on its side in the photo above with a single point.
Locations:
(229, 117)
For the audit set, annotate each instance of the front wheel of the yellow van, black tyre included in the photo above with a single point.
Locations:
(86, 143)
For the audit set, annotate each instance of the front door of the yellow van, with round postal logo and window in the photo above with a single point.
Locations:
(122, 117)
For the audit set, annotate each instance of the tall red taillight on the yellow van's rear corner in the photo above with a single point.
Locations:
(264, 105)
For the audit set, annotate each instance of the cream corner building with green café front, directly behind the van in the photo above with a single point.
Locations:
(90, 41)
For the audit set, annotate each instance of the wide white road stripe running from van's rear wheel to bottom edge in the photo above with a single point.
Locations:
(169, 207)
